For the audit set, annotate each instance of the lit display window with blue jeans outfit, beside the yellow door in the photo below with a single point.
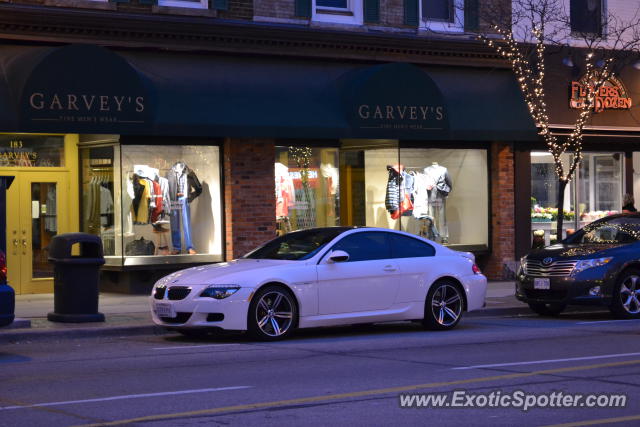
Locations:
(153, 204)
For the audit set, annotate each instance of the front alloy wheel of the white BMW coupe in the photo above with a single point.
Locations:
(272, 313)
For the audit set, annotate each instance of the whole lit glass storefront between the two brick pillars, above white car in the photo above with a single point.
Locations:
(440, 194)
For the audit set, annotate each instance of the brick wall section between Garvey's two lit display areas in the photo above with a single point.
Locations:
(249, 190)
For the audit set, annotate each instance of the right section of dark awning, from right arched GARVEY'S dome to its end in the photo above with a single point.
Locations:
(403, 101)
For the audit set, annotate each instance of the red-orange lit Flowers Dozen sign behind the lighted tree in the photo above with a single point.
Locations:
(612, 95)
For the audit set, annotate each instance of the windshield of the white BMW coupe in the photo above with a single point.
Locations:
(298, 245)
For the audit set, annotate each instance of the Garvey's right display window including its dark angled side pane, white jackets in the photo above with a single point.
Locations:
(440, 194)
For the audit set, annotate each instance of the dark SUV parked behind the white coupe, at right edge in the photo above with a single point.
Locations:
(597, 265)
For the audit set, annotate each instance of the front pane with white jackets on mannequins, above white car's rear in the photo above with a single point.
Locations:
(446, 192)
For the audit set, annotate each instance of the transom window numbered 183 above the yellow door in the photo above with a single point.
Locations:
(22, 150)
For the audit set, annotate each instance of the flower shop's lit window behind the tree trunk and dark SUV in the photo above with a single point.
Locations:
(595, 191)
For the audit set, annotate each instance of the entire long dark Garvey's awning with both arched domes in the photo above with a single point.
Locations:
(89, 89)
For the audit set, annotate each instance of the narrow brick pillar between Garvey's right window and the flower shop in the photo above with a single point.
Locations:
(502, 212)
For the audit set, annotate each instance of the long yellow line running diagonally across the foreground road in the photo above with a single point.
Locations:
(330, 397)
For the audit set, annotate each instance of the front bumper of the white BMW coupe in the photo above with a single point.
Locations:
(196, 312)
